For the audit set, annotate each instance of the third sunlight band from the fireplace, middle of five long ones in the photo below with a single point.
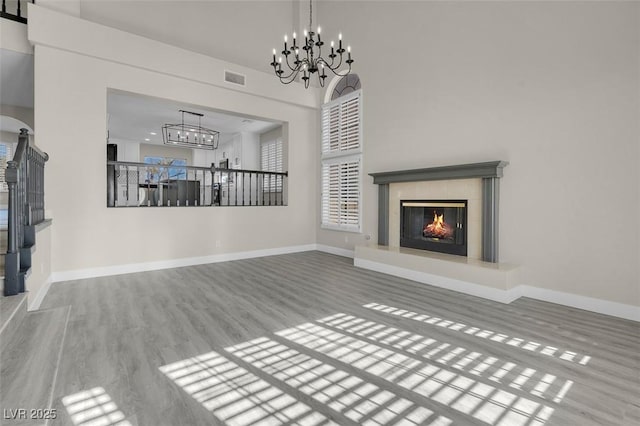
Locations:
(465, 395)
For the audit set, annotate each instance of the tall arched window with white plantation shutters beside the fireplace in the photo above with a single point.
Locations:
(341, 160)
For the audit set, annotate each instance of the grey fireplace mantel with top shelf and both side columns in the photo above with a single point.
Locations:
(490, 172)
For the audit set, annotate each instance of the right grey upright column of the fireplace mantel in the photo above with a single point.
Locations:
(490, 201)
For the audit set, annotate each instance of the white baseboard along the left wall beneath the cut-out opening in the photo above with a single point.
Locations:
(174, 263)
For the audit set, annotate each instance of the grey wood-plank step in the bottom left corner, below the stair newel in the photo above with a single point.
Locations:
(29, 362)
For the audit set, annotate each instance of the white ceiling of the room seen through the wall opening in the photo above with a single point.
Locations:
(134, 118)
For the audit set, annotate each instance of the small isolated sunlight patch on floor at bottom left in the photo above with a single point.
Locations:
(94, 407)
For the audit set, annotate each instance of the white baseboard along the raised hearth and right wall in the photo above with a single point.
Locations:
(605, 307)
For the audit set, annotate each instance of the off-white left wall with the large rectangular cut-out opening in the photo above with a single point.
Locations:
(70, 100)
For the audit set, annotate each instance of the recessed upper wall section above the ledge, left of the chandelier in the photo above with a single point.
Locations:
(229, 30)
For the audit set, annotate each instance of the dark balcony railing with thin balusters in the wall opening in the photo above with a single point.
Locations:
(151, 185)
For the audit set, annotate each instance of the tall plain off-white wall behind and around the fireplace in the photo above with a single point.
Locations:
(551, 87)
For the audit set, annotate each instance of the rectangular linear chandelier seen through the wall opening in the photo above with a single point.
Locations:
(190, 135)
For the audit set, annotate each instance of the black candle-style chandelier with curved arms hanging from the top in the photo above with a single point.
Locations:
(307, 59)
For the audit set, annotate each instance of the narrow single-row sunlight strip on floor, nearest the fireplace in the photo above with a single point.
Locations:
(485, 334)
